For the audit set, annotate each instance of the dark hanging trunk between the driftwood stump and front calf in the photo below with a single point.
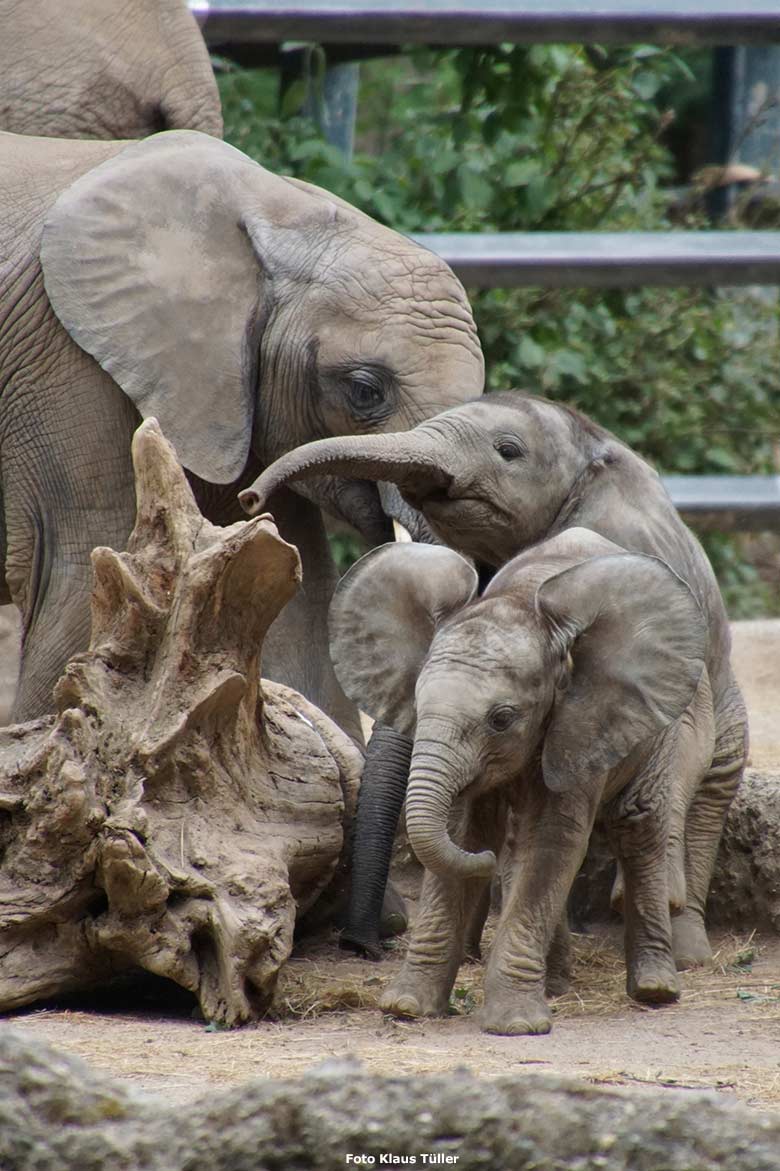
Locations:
(384, 787)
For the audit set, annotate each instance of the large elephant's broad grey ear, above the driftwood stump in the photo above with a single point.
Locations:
(149, 264)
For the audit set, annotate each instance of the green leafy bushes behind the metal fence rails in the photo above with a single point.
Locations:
(555, 138)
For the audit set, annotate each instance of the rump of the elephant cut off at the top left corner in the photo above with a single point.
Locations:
(105, 70)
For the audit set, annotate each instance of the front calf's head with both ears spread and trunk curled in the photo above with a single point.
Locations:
(578, 654)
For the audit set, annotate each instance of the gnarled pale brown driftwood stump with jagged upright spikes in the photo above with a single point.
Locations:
(176, 813)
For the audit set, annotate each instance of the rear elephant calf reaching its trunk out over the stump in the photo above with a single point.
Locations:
(494, 477)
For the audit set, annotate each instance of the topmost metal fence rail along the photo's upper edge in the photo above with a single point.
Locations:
(491, 22)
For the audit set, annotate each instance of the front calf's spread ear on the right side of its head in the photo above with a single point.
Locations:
(639, 642)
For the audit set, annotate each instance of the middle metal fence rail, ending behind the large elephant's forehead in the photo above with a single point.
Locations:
(608, 259)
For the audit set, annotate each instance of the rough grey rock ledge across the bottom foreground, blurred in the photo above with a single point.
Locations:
(58, 1114)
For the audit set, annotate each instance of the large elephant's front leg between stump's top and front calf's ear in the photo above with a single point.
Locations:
(296, 652)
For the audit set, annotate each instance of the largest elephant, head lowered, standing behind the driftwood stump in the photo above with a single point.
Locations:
(249, 313)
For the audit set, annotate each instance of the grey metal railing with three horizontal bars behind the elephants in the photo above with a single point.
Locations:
(354, 29)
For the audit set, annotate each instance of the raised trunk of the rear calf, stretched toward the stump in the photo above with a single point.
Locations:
(407, 458)
